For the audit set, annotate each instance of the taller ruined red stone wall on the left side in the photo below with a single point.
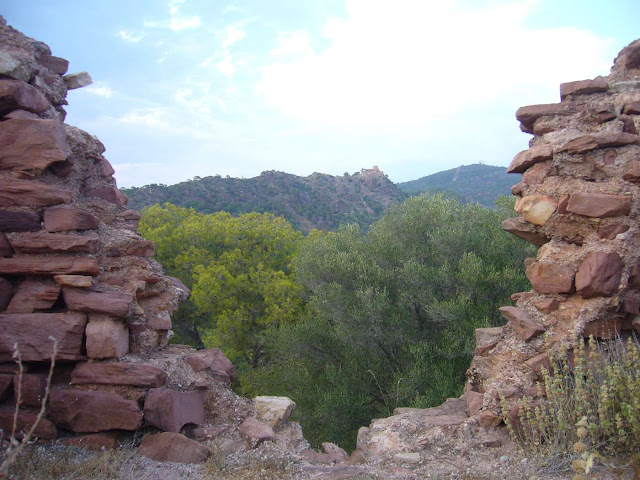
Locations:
(73, 267)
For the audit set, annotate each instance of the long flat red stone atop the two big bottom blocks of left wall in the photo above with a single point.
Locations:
(132, 374)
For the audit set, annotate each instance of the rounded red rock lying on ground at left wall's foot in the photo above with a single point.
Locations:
(172, 447)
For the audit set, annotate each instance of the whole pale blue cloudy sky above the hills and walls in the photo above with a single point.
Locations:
(192, 88)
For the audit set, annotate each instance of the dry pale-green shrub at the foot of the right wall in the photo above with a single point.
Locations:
(588, 408)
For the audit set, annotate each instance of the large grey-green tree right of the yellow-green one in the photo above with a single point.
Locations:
(391, 314)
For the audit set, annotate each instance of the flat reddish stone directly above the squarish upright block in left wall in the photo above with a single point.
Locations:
(118, 304)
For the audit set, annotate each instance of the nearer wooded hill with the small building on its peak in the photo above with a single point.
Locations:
(317, 201)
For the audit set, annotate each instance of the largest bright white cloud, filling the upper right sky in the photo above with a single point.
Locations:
(405, 66)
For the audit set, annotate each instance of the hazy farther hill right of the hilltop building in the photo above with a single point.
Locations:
(469, 183)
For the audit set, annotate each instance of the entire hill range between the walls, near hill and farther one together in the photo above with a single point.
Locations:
(322, 201)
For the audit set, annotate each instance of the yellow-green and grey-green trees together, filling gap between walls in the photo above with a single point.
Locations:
(348, 324)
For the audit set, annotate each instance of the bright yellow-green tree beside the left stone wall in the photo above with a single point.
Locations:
(238, 270)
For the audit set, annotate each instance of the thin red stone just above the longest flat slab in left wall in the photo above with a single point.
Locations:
(55, 243)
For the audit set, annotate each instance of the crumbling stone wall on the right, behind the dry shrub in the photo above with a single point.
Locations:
(579, 200)
